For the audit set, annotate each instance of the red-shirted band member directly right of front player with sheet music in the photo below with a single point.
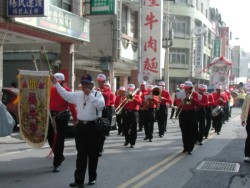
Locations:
(201, 113)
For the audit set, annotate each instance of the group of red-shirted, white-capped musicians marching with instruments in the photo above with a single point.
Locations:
(195, 110)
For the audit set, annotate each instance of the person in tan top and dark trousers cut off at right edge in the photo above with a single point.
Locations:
(245, 121)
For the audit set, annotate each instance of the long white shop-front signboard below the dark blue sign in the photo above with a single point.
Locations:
(61, 22)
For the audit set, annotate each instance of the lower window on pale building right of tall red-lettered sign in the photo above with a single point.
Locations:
(178, 57)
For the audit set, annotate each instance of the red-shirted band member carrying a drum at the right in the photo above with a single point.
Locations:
(219, 100)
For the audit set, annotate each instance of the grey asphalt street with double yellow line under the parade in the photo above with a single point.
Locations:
(156, 164)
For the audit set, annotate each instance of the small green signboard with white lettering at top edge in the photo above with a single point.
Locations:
(102, 6)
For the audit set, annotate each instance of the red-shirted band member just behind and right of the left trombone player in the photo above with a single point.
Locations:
(143, 91)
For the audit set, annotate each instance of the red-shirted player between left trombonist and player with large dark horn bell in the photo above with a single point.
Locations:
(151, 102)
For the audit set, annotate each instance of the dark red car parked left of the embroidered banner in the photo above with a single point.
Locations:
(10, 100)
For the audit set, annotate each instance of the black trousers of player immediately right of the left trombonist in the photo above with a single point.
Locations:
(149, 122)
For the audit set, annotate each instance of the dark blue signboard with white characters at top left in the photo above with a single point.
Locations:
(27, 8)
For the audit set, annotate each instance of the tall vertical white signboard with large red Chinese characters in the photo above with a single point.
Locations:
(151, 32)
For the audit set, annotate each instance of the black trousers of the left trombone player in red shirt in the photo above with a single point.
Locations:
(130, 125)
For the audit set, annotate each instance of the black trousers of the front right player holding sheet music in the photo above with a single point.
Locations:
(189, 128)
